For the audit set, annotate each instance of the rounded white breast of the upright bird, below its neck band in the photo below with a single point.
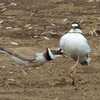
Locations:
(74, 44)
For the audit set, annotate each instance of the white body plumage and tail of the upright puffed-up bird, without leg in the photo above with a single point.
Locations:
(74, 44)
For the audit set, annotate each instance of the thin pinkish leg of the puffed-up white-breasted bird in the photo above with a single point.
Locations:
(73, 70)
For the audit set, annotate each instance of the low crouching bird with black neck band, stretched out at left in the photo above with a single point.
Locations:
(38, 57)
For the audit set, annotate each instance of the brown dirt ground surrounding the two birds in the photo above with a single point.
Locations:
(26, 27)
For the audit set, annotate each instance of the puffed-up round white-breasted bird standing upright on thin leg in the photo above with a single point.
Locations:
(74, 44)
